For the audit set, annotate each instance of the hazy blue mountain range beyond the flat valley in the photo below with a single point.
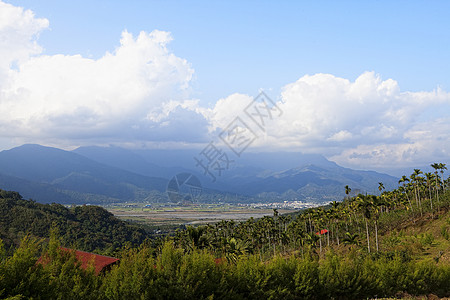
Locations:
(111, 174)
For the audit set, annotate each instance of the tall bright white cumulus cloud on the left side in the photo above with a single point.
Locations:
(73, 97)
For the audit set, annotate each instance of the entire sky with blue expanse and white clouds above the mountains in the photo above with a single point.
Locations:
(366, 84)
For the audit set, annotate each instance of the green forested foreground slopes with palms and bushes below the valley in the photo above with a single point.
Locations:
(394, 244)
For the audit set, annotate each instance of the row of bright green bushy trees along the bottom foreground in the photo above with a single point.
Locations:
(172, 273)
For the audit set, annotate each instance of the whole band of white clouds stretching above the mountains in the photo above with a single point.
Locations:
(140, 93)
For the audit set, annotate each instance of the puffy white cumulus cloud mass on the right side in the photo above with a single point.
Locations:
(369, 122)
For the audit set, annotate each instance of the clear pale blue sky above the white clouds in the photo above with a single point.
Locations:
(240, 46)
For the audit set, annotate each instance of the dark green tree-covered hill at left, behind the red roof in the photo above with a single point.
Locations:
(88, 228)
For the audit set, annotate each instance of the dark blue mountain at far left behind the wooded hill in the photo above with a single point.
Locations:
(74, 175)
